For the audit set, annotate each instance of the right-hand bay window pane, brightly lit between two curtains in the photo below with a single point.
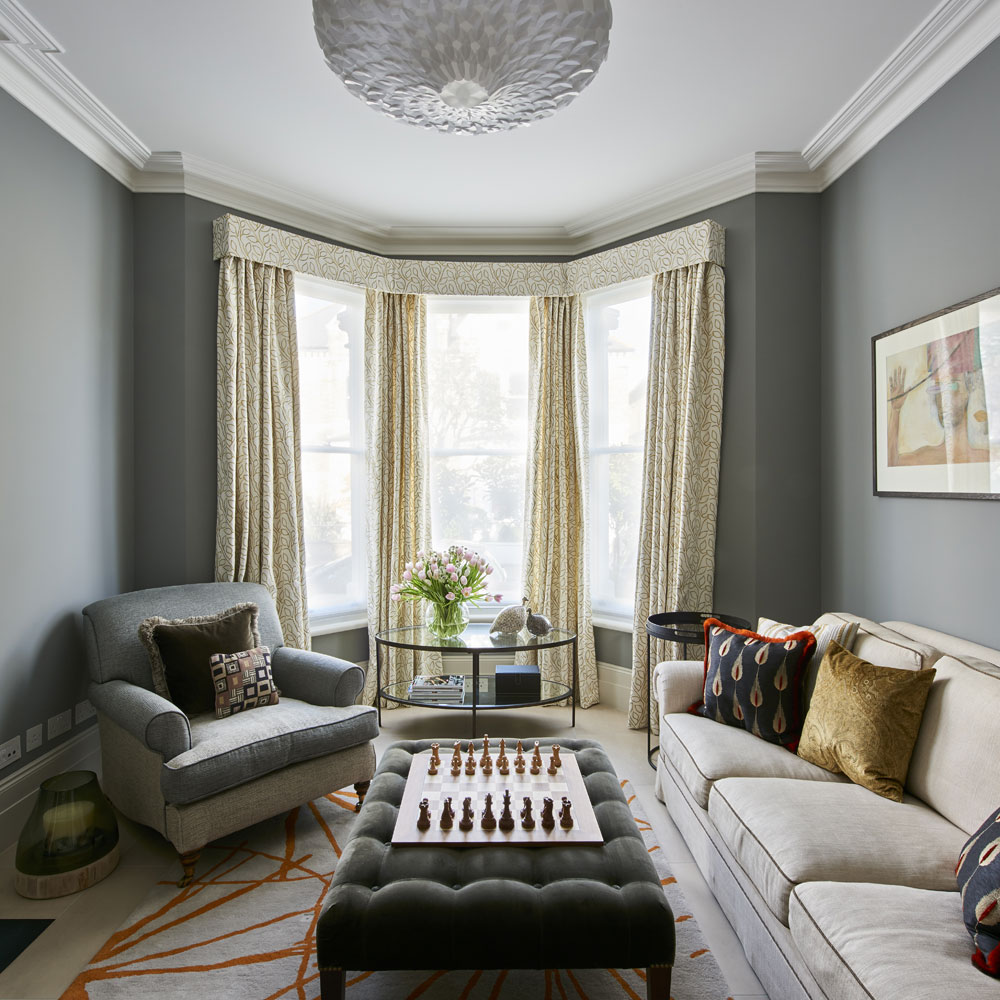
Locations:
(617, 324)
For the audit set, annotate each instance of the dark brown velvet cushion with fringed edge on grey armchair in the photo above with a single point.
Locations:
(180, 652)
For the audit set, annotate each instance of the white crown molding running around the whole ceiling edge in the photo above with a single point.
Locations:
(954, 33)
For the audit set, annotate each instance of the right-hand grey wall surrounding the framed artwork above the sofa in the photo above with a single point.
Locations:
(910, 229)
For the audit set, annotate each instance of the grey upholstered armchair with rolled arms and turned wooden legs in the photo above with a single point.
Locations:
(196, 779)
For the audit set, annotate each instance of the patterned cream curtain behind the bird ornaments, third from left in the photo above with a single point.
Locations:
(556, 574)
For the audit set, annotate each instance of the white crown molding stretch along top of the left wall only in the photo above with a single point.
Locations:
(31, 73)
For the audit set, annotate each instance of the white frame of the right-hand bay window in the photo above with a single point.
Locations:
(606, 614)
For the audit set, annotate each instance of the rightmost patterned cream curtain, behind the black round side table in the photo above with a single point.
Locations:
(680, 476)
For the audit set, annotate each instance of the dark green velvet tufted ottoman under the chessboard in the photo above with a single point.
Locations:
(435, 907)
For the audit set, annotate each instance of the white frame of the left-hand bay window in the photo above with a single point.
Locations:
(352, 614)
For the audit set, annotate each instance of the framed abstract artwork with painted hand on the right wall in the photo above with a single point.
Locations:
(936, 404)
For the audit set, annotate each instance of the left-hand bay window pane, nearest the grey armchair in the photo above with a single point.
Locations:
(330, 321)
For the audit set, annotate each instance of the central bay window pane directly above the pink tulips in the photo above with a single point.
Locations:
(477, 411)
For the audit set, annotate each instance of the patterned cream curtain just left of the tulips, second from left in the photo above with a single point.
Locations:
(399, 519)
